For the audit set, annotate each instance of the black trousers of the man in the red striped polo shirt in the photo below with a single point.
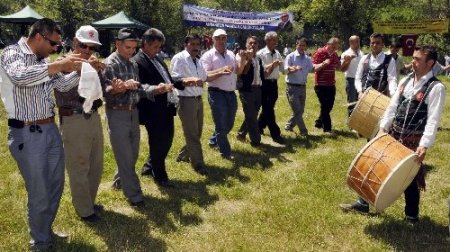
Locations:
(326, 95)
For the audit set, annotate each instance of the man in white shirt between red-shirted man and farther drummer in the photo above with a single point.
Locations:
(349, 68)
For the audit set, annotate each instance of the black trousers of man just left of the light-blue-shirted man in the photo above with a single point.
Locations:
(269, 96)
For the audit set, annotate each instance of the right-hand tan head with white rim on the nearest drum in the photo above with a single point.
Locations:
(397, 182)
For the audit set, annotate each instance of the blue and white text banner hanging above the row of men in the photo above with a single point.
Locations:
(194, 15)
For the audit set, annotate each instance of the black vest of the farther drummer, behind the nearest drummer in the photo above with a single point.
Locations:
(376, 78)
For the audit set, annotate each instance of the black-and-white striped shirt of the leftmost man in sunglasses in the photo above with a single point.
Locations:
(26, 87)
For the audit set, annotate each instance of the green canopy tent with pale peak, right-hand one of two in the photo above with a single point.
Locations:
(118, 21)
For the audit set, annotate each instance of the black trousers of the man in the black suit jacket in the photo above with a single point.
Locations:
(160, 136)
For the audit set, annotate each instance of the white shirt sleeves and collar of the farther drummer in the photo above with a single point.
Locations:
(374, 62)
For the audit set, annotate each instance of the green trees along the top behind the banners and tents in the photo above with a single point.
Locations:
(315, 19)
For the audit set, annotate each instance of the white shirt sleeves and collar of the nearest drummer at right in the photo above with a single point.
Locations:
(435, 101)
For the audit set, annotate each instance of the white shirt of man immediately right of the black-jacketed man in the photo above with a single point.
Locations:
(182, 65)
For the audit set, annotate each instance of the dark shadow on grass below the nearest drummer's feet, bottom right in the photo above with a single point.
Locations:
(426, 235)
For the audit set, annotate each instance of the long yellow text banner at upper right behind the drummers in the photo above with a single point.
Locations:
(428, 26)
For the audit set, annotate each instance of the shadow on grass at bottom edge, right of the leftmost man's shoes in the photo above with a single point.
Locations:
(123, 233)
